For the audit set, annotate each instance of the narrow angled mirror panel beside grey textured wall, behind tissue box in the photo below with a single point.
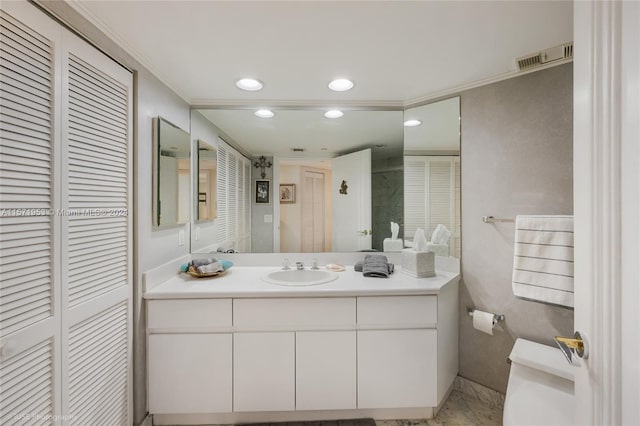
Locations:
(432, 174)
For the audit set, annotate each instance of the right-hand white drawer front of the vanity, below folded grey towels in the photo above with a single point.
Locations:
(398, 311)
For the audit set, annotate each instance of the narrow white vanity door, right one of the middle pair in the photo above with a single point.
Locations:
(325, 370)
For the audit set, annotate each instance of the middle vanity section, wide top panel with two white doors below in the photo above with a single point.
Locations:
(310, 366)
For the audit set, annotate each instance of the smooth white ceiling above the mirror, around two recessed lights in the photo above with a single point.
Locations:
(395, 51)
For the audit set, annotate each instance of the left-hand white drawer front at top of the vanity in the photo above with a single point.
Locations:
(192, 313)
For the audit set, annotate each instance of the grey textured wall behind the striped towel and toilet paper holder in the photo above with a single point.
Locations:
(516, 159)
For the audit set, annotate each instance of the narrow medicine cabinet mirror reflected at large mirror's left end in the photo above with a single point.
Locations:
(205, 196)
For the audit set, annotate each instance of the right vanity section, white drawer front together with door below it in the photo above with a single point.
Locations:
(397, 351)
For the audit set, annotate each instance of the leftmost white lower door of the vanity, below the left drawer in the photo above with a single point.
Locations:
(190, 373)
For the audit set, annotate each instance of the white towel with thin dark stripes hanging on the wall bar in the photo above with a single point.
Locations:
(543, 259)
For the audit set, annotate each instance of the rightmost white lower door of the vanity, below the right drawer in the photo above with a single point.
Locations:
(397, 368)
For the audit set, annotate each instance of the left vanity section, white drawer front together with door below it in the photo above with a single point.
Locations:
(190, 353)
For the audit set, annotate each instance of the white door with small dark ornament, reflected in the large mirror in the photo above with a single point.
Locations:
(351, 201)
